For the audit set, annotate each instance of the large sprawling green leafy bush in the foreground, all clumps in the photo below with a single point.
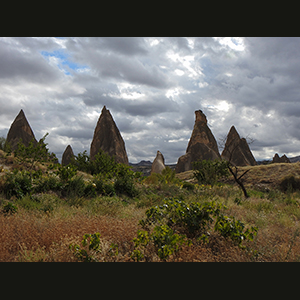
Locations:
(168, 226)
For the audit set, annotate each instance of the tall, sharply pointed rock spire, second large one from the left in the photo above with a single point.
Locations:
(108, 138)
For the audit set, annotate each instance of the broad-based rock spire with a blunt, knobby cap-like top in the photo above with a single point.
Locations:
(202, 145)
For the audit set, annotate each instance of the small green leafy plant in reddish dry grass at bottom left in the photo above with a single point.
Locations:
(90, 247)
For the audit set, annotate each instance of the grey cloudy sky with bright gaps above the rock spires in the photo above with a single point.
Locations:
(152, 87)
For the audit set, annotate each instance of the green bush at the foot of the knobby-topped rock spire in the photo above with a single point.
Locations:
(209, 171)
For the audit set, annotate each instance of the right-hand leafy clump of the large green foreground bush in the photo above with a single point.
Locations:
(234, 229)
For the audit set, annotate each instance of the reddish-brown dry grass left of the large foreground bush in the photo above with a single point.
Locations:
(31, 236)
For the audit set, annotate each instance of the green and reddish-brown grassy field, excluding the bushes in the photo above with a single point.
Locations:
(46, 224)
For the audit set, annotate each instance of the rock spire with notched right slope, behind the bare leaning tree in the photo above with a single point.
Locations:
(237, 150)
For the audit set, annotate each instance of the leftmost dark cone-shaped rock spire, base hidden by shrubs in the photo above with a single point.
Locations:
(20, 129)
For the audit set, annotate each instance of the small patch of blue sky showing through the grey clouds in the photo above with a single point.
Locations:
(63, 62)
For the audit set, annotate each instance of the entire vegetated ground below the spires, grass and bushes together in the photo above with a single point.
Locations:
(55, 213)
